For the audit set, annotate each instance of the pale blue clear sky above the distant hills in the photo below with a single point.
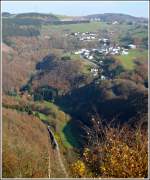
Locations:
(79, 8)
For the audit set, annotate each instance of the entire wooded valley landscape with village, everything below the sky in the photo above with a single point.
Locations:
(75, 96)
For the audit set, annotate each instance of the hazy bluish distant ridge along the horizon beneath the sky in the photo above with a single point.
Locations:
(106, 17)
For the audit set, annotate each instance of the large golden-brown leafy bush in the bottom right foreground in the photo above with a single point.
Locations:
(123, 154)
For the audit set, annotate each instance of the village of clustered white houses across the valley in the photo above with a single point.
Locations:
(96, 55)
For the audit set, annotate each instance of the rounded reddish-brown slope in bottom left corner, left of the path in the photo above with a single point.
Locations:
(25, 144)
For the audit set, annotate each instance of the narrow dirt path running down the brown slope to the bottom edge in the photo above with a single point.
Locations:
(55, 159)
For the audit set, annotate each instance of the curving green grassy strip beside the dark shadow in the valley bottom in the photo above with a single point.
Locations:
(62, 121)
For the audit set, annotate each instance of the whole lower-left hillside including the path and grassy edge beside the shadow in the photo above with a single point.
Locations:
(25, 124)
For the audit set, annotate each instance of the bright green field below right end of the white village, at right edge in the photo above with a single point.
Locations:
(128, 60)
